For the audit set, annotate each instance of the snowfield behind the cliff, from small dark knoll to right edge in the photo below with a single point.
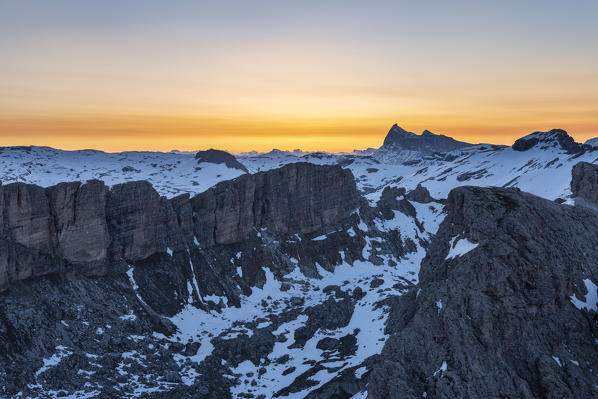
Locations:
(544, 169)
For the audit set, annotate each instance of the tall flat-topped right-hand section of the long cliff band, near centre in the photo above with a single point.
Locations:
(299, 197)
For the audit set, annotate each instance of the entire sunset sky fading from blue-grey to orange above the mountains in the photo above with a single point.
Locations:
(315, 75)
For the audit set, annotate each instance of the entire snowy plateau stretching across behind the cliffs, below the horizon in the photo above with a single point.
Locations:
(543, 169)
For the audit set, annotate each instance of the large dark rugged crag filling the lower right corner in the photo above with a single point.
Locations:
(497, 321)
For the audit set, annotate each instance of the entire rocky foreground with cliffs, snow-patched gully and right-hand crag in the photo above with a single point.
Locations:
(288, 283)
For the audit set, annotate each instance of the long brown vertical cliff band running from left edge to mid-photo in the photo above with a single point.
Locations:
(89, 227)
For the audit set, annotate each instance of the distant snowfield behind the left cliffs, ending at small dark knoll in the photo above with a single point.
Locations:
(171, 173)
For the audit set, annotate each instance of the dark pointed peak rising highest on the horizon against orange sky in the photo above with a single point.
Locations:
(426, 143)
